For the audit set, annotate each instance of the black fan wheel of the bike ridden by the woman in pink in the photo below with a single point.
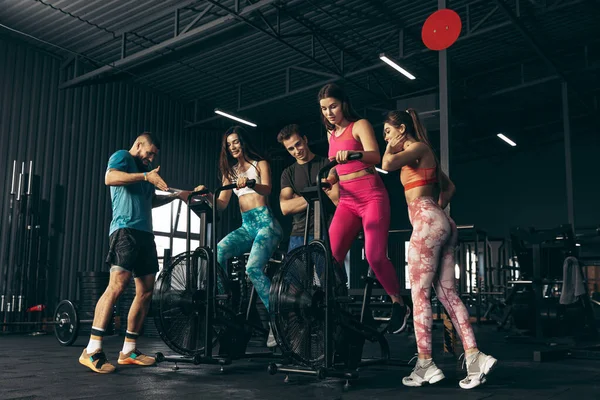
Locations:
(297, 301)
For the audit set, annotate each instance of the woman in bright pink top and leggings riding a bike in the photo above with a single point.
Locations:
(364, 201)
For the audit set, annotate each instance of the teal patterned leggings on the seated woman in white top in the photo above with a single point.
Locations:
(260, 233)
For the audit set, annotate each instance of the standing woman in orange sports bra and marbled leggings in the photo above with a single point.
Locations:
(431, 250)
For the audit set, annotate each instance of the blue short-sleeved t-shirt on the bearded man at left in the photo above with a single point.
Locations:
(131, 204)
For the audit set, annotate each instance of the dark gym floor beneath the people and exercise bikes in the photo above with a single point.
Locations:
(38, 367)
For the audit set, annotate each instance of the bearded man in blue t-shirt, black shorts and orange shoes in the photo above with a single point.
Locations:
(132, 251)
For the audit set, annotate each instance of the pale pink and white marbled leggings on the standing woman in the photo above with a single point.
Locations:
(431, 261)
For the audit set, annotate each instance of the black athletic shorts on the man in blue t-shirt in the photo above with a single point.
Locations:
(133, 250)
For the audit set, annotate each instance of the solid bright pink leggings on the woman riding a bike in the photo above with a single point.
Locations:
(364, 202)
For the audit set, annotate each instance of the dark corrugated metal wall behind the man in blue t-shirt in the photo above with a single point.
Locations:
(69, 135)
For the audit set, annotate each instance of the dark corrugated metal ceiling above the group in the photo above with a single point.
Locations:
(235, 54)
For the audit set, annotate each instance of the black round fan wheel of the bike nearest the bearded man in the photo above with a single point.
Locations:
(179, 302)
